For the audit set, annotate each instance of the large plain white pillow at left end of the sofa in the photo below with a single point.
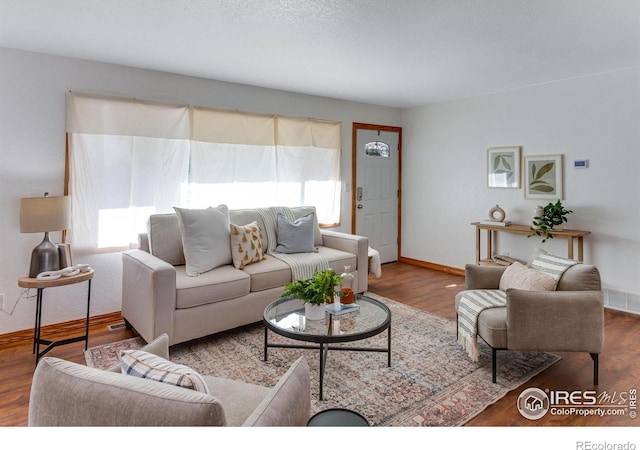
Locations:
(205, 238)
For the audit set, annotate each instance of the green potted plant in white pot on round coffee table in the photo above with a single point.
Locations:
(315, 291)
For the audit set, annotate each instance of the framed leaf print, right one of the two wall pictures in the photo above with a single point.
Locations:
(543, 177)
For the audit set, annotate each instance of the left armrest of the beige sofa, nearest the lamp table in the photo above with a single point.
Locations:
(148, 294)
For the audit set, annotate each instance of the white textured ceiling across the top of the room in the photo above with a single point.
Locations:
(393, 53)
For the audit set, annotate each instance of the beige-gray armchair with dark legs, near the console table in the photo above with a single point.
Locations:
(567, 319)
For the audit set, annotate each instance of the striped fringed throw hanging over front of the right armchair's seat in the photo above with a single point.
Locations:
(471, 304)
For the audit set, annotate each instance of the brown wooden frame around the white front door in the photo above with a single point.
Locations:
(354, 181)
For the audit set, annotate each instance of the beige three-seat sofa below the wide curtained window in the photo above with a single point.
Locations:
(159, 297)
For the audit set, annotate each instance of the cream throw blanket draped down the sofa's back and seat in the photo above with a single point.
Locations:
(303, 265)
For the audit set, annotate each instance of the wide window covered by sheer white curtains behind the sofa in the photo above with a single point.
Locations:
(129, 159)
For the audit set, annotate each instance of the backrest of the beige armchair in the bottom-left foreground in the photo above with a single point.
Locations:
(64, 393)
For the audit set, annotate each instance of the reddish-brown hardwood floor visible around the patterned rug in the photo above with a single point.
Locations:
(421, 288)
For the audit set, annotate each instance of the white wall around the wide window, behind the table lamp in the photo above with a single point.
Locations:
(32, 145)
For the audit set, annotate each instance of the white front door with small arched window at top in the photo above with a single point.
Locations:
(376, 196)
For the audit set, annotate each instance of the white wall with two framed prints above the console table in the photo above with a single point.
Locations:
(444, 171)
